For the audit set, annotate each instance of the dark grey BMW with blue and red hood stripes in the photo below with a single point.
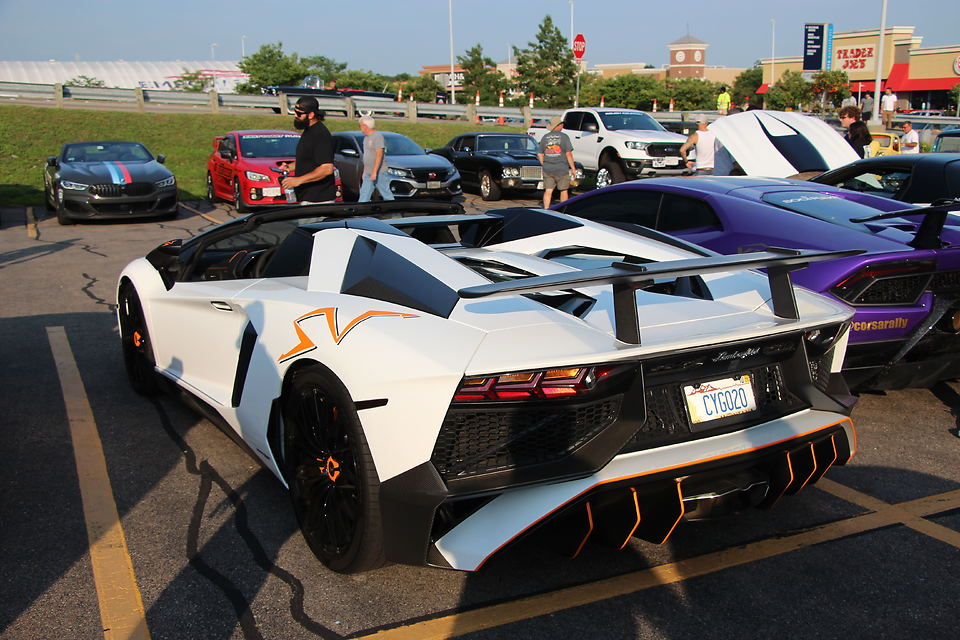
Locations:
(108, 179)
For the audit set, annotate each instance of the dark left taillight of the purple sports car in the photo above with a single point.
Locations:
(885, 284)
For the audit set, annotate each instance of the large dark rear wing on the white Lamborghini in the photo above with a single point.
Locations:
(626, 278)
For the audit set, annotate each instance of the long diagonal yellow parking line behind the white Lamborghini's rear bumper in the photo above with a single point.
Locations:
(562, 599)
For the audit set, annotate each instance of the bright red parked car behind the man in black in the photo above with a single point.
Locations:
(244, 167)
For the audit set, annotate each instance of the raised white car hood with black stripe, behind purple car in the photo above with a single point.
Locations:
(778, 144)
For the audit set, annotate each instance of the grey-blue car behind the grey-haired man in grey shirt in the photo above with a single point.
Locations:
(413, 172)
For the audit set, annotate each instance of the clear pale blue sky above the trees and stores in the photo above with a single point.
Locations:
(392, 36)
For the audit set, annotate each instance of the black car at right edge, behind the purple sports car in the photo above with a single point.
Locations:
(921, 178)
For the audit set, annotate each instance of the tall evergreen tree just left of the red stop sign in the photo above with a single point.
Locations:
(547, 68)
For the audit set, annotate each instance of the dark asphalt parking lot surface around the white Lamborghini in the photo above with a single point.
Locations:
(202, 542)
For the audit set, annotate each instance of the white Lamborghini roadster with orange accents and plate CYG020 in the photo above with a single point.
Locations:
(432, 388)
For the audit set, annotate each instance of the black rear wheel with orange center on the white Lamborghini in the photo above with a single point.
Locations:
(333, 482)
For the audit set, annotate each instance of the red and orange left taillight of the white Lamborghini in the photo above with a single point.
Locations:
(543, 384)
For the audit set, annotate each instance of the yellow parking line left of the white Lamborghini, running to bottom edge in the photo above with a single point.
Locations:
(121, 608)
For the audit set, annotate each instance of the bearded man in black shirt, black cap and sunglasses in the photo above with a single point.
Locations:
(313, 170)
